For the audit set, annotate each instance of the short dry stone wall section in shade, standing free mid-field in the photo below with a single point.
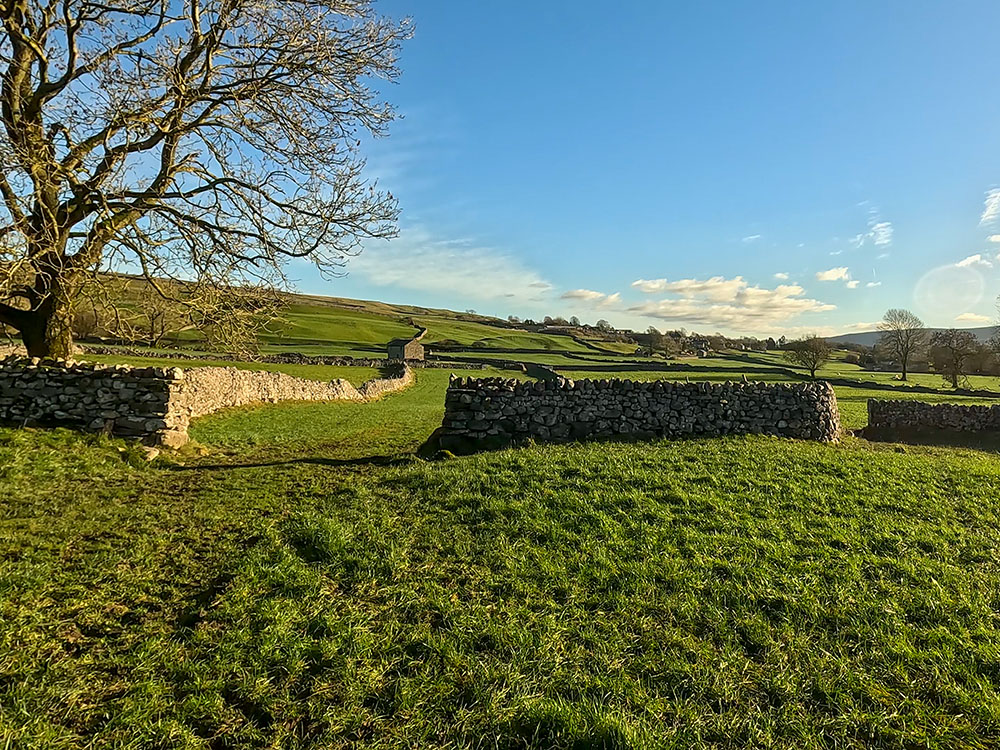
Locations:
(497, 410)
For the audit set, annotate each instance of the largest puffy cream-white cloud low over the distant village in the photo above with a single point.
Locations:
(721, 302)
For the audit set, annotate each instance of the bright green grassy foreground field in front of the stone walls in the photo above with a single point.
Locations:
(723, 593)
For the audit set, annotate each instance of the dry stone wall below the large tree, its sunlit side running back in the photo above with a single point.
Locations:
(156, 403)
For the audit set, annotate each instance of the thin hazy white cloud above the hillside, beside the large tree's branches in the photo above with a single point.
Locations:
(418, 259)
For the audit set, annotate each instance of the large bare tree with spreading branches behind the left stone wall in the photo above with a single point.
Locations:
(209, 140)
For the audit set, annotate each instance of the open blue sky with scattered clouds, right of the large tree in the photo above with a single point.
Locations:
(748, 167)
